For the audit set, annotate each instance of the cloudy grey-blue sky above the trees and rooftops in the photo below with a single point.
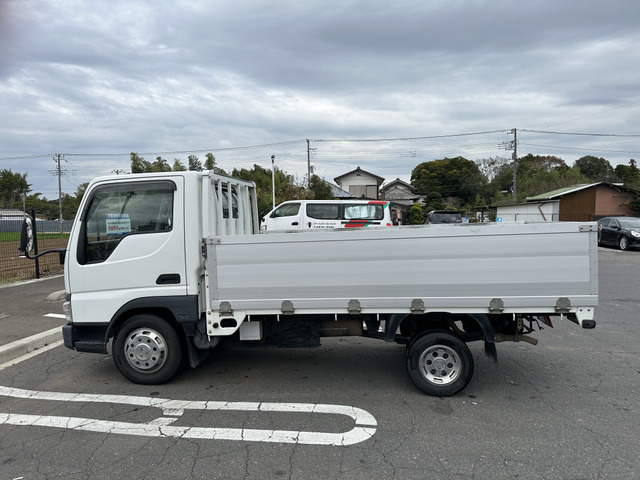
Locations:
(383, 85)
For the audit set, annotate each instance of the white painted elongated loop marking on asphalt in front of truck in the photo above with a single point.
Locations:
(364, 429)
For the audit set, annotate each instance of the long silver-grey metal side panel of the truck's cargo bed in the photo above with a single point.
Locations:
(538, 268)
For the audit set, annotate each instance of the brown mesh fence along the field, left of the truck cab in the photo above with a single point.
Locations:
(48, 237)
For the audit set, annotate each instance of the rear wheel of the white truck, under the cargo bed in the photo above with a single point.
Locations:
(439, 363)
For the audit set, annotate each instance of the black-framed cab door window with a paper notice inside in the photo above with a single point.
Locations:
(117, 211)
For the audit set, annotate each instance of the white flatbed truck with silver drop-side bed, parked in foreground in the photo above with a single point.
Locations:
(168, 266)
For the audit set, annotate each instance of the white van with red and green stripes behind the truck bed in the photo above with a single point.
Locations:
(326, 214)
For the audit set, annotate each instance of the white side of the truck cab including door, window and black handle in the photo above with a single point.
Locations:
(129, 244)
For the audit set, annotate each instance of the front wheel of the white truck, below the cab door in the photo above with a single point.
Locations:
(147, 350)
